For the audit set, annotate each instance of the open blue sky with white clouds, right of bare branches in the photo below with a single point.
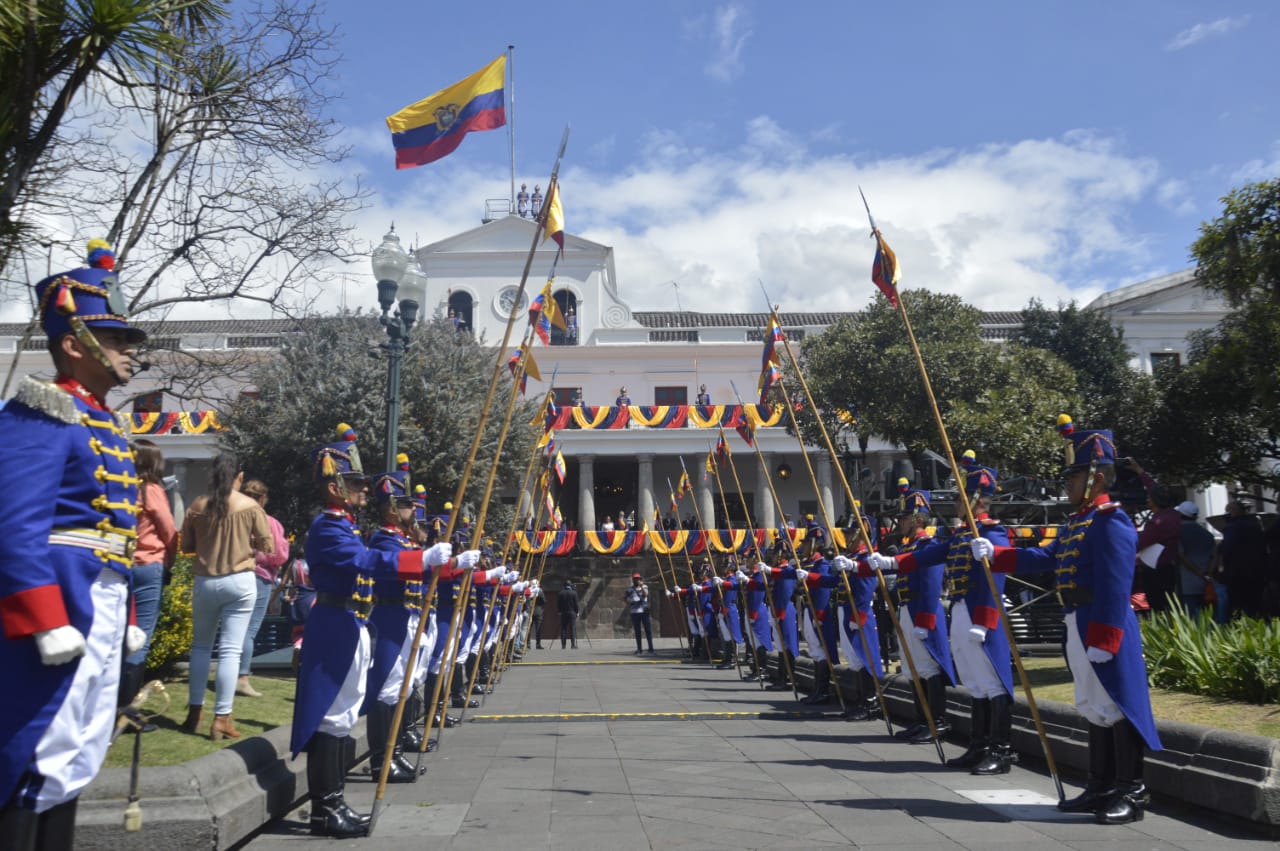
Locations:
(1009, 149)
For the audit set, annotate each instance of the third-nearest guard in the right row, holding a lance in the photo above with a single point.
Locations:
(922, 616)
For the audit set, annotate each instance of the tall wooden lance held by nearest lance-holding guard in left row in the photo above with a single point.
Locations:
(380, 798)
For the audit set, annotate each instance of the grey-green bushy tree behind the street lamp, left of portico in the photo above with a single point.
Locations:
(324, 376)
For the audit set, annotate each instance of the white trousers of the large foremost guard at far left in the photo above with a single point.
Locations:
(72, 751)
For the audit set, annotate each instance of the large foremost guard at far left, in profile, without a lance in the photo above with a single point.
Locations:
(71, 504)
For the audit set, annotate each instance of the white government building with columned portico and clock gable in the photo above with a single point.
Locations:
(661, 358)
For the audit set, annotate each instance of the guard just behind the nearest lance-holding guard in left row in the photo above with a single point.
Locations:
(397, 610)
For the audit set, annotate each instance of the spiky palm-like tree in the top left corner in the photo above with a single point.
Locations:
(51, 52)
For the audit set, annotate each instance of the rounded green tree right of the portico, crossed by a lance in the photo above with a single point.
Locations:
(996, 400)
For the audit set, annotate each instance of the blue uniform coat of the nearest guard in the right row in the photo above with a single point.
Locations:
(1095, 555)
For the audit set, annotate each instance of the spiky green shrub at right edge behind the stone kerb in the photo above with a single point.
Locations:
(1238, 661)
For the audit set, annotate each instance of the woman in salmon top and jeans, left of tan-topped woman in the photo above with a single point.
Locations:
(153, 560)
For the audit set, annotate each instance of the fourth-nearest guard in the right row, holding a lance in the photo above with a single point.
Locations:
(857, 617)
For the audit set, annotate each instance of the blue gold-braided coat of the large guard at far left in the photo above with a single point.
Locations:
(65, 465)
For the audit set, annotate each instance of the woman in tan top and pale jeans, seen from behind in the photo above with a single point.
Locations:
(223, 530)
